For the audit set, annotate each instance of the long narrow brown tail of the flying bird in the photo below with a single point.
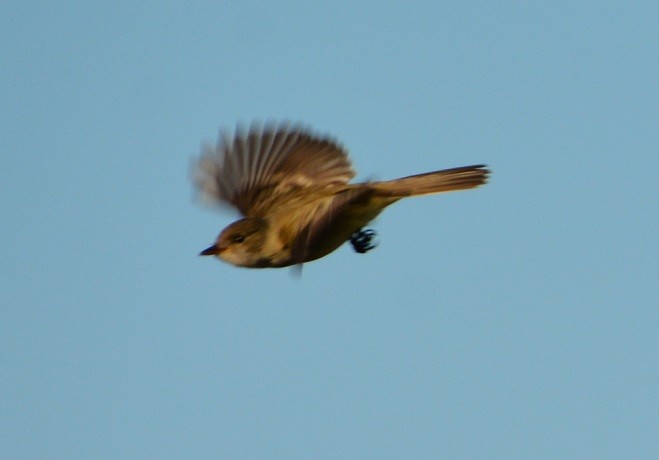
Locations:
(446, 180)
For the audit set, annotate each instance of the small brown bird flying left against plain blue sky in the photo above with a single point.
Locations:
(292, 187)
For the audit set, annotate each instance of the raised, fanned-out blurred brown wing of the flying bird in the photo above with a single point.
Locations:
(252, 169)
